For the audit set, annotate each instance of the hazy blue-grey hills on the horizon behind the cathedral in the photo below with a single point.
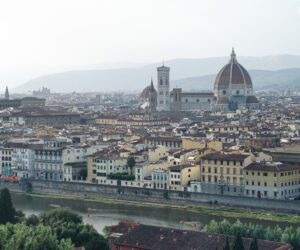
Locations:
(187, 73)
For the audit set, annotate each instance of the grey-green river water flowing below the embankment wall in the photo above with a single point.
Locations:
(101, 214)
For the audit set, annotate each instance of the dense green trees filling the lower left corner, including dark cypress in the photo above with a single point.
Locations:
(56, 229)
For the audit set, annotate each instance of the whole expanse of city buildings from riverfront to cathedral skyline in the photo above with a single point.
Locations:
(222, 143)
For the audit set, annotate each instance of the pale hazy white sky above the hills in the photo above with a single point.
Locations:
(36, 33)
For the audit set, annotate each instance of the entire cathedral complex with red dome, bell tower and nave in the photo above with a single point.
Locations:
(232, 90)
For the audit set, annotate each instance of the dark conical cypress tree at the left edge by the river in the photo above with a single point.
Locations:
(7, 210)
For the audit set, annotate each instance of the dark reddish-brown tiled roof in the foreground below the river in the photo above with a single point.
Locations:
(153, 237)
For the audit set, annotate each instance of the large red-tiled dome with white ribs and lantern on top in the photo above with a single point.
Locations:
(233, 73)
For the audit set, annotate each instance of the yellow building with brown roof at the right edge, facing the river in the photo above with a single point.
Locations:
(272, 180)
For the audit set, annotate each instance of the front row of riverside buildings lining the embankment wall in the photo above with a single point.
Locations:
(195, 166)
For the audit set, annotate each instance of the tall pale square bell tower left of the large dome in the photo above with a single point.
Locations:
(163, 88)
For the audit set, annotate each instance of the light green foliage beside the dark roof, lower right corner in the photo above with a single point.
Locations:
(289, 234)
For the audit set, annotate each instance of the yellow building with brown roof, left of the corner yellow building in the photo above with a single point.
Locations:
(223, 173)
